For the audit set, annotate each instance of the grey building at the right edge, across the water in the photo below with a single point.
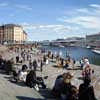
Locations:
(93, 40)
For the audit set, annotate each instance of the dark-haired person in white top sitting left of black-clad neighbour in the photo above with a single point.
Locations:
(23, 73)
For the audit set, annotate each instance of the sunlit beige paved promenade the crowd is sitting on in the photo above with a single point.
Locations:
(18, 91)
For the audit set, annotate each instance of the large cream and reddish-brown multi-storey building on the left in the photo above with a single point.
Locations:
(11, 33)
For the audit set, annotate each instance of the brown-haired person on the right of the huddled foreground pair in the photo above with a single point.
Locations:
(68, 91)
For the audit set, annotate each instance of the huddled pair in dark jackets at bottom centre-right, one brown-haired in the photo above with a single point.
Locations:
(63, 88)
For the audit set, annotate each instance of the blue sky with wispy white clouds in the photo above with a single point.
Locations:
(52, 19)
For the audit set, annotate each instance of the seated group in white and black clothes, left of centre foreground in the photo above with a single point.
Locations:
(29, 78)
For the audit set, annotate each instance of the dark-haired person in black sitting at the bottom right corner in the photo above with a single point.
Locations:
(86, 91)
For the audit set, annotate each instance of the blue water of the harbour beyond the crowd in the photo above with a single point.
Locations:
(77, 53)
